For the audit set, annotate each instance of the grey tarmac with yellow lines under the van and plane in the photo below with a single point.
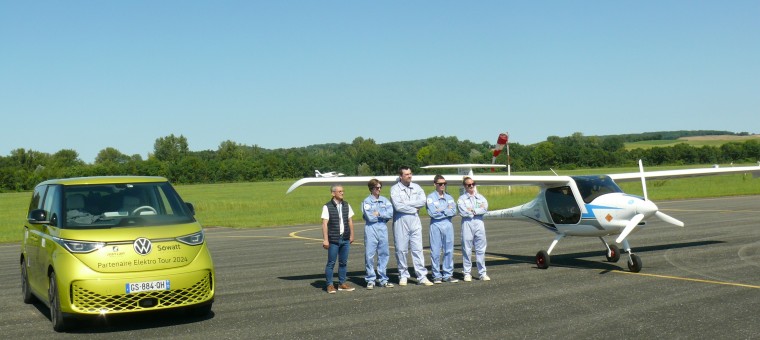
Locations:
(700, 281)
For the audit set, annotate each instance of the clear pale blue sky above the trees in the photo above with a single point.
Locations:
(87, 75)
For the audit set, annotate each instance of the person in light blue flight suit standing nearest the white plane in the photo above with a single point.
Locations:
(472, 207)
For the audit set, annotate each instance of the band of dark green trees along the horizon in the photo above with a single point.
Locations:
(234, 162)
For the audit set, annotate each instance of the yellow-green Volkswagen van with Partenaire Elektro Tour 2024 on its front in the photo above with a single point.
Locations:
(113, 244)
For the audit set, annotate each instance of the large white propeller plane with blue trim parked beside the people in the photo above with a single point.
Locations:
(587, 206)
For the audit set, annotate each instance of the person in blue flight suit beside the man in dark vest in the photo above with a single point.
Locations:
(376, 211)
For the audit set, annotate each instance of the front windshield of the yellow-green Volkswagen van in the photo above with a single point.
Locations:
(123, 205)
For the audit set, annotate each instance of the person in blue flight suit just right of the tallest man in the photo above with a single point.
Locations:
(442, 208)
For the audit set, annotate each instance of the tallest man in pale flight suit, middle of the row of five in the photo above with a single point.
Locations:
(408, 198)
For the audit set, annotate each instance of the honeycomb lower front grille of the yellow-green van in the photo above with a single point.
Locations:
(87, 301)
